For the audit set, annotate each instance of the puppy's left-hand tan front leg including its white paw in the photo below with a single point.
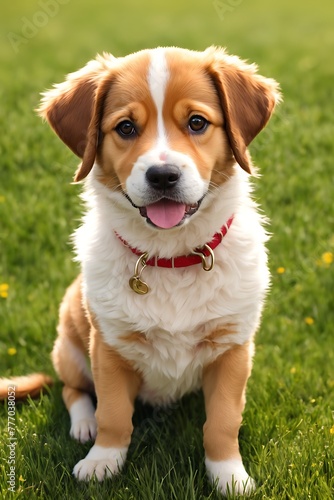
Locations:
(117, 386)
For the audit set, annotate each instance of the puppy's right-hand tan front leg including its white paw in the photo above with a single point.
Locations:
(224, 384)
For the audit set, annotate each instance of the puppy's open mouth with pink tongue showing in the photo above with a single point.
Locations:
(166, 213)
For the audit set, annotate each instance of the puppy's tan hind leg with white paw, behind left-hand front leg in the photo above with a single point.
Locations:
(69, 358)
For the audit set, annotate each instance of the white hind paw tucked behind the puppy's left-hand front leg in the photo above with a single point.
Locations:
(83, 423)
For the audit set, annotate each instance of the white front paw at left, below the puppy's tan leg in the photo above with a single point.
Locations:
(100, 463)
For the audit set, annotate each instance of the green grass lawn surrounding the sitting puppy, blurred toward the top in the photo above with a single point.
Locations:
(285, 439)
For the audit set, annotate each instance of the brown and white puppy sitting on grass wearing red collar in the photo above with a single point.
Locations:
(172, 247)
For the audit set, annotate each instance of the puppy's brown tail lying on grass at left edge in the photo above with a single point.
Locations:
(22, 387)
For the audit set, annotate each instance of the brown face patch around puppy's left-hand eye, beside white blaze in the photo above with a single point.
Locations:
(123, 95)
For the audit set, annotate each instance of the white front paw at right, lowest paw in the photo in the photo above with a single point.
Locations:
(231, 477)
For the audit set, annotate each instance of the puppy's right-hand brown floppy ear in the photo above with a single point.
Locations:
(247, 100)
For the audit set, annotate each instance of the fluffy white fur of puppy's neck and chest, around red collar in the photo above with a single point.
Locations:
(184, 305)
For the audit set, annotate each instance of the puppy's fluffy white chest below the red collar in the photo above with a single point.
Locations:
(165, 334)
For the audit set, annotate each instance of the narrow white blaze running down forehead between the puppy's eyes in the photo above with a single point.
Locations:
(158, 75)
